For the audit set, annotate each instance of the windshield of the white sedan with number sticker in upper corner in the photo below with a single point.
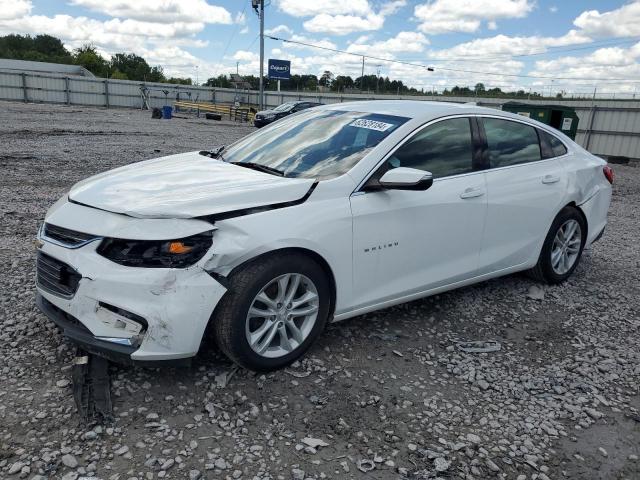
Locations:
(314, 144)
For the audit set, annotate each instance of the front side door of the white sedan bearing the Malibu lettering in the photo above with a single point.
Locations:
(406, 242)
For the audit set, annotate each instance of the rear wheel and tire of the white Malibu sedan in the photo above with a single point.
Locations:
(562, 248)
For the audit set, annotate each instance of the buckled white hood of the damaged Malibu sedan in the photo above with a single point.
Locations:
(186, 185)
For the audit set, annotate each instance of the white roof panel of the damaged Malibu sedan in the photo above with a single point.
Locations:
(417, 109)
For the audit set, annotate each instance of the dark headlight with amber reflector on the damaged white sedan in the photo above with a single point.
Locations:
(179, 253)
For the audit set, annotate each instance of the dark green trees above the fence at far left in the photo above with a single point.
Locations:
(46, 48)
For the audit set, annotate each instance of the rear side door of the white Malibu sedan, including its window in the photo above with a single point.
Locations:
(525, 192)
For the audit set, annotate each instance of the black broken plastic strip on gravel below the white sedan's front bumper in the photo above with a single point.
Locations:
(92, 388)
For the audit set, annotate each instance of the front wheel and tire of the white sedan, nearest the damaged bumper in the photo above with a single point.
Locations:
(274, 309)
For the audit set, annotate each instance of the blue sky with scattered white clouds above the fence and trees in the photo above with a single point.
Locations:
(543, 45)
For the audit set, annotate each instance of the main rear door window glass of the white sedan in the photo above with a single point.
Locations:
(510, 143)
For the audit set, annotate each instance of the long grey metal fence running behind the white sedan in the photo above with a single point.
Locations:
(606, 127)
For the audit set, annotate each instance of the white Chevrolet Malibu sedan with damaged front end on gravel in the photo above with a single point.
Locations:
(328, 214)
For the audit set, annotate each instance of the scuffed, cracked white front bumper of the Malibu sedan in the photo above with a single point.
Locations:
(132, 315)
